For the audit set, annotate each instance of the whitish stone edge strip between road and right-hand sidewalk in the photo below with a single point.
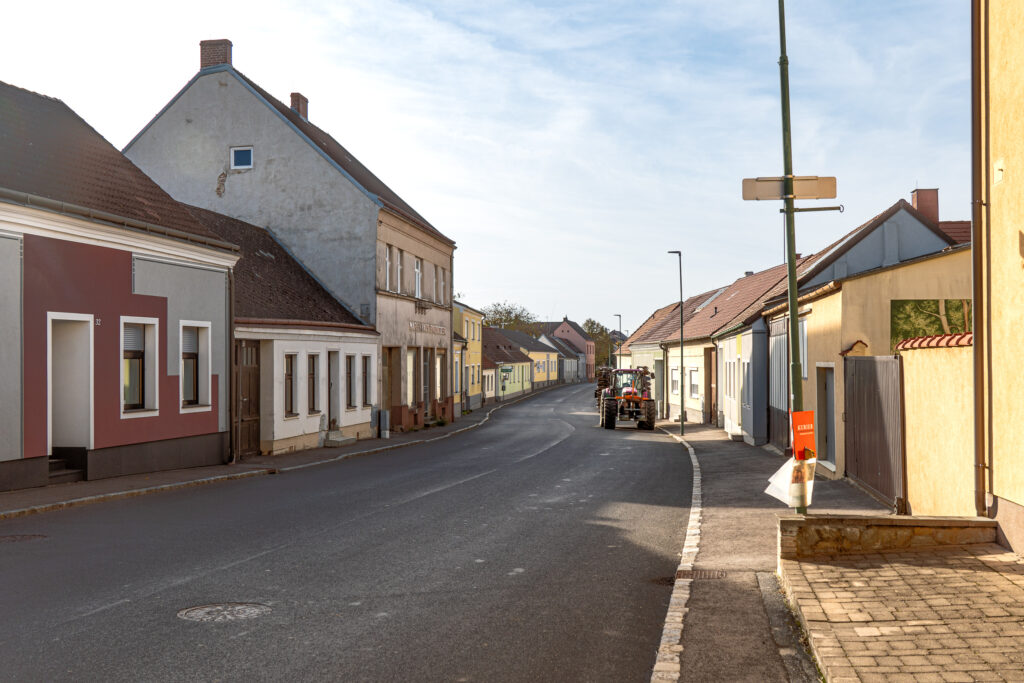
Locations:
(669, 663)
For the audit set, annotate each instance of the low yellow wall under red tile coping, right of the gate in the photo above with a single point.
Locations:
(940, 431)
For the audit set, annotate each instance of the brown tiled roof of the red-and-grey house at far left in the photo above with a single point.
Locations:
(49, 151)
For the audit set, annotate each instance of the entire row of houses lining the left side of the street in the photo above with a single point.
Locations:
(234, 283)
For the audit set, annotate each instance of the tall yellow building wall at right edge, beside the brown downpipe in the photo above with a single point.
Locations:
(1003, 222)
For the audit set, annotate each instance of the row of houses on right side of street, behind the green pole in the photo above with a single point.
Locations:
(904, 274)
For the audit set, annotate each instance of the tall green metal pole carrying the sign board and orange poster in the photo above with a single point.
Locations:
(796, 375)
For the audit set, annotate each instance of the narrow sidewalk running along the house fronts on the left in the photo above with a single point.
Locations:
(57, 497)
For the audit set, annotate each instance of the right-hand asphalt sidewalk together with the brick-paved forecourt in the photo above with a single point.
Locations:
(954, 613)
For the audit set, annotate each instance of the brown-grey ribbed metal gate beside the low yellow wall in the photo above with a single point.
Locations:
(875, 456)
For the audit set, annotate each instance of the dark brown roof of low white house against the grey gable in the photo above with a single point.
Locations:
(270, 283)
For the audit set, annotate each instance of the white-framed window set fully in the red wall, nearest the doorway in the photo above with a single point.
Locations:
(140, 361)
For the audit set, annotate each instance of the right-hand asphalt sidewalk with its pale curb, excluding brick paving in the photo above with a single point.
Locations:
(735, 626)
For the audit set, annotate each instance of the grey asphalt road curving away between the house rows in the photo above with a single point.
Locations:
(531, 549)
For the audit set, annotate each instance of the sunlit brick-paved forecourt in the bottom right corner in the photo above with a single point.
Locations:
(954, 614)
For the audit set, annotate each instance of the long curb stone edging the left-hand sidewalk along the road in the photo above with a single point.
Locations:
(260, 472)
